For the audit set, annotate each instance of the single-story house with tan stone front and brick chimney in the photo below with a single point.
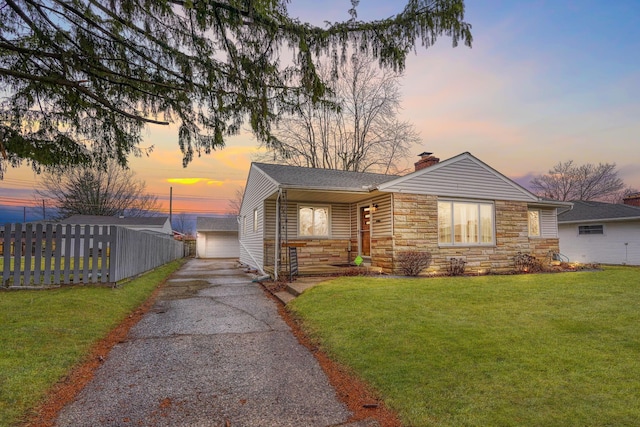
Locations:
(458, 208)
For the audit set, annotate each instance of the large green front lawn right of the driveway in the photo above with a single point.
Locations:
(527, 350)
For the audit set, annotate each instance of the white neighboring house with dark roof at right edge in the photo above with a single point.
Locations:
(600, 232)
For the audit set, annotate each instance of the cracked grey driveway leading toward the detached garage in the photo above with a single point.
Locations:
(213, 351)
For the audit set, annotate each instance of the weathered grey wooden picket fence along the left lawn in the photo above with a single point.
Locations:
(36, 255)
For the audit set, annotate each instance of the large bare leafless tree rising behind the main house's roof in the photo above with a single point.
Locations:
(357, 131)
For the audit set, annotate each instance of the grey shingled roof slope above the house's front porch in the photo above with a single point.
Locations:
(326, 179)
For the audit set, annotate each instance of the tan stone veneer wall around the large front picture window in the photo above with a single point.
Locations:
(416, 228)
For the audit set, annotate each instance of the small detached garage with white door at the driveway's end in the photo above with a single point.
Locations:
(217, 237)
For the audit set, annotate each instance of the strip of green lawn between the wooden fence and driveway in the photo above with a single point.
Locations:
(45, 333)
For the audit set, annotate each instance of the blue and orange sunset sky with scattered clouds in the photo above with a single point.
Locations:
(545, 81)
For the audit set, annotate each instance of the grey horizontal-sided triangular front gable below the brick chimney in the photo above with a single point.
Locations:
(464, 178)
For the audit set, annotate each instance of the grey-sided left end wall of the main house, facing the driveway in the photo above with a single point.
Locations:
(258, 188)
